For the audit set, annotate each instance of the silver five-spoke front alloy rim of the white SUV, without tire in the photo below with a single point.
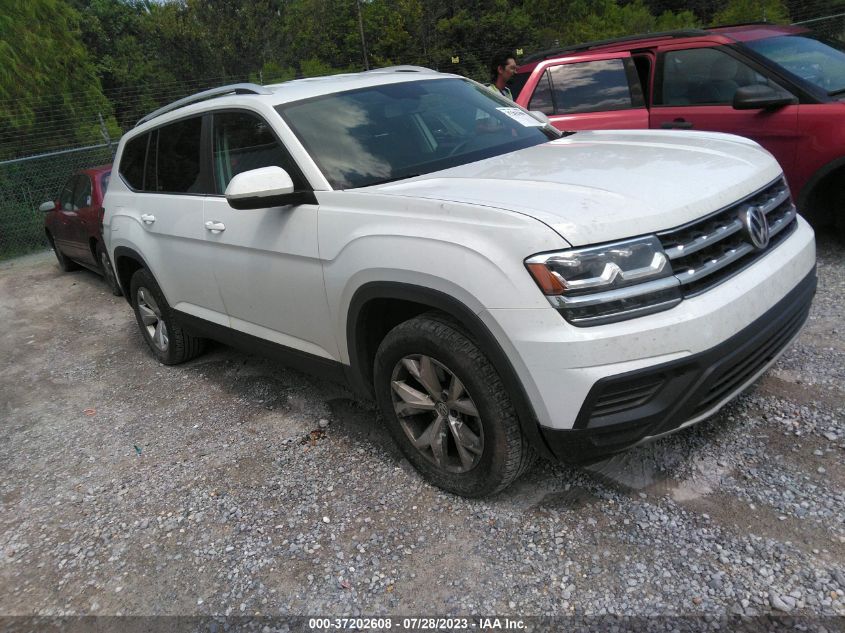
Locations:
(437, 413)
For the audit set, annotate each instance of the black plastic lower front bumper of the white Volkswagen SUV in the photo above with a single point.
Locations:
(625, 409)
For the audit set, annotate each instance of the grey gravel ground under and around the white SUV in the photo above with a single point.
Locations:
(232, 486)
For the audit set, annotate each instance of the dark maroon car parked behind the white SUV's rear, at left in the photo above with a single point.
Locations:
(74, 224)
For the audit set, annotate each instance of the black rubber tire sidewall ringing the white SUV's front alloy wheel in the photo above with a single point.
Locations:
(482, 479)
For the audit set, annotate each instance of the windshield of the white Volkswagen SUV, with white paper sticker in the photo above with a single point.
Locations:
(389, 132)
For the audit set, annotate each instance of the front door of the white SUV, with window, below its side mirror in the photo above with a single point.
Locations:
(266, 261)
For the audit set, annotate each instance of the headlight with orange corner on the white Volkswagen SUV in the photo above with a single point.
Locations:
(612, 282)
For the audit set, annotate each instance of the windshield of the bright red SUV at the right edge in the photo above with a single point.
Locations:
(820, 63)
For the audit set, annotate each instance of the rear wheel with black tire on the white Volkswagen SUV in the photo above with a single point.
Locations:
(160, 328)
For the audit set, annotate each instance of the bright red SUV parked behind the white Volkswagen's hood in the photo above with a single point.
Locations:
(778, 85)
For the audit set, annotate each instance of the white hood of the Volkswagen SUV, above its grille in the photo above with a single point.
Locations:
(597, 186)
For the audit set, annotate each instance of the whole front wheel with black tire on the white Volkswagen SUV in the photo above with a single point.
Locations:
(495, 453)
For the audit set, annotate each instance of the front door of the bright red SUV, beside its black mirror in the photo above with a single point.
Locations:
(695, 88)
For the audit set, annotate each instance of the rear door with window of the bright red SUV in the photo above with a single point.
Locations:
(587, 92)
